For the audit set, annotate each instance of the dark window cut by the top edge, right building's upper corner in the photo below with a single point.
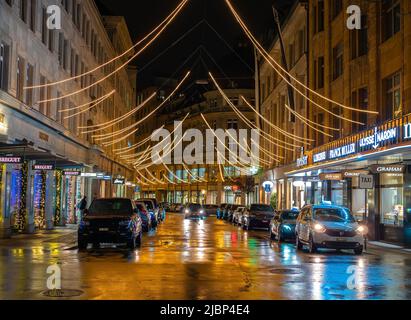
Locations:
(391, 18)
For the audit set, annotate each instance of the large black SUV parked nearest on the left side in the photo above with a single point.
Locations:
(110, 220)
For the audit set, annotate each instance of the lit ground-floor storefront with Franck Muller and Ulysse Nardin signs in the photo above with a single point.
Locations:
(370, 174)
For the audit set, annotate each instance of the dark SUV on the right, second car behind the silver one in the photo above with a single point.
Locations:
(258, 216)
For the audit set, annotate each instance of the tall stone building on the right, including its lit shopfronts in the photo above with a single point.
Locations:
(368, 69)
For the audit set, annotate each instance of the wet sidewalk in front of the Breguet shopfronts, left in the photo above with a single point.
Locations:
(60, 235)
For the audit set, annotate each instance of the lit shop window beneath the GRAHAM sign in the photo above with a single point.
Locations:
(392, 210)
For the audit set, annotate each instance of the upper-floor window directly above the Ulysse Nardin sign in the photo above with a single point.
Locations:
(392, 87)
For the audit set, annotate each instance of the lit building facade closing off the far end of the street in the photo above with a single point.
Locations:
(205, 183)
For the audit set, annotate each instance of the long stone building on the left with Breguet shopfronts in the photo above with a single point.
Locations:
(47, 162)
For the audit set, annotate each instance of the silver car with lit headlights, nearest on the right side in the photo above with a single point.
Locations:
(329, 226)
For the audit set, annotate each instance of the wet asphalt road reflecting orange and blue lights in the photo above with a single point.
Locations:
(208, 259)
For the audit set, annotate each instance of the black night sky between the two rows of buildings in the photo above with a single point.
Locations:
(201, 48)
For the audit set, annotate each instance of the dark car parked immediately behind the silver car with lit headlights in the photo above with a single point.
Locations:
(282, 226)
